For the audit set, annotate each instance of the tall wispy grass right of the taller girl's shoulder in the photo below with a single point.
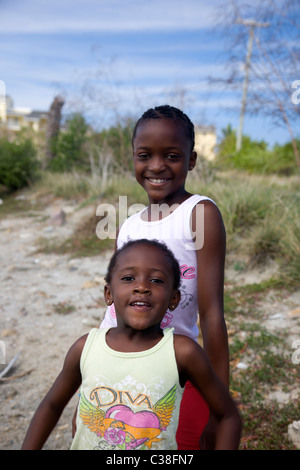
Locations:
(262, 219)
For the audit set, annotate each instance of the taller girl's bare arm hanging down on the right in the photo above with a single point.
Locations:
(210, 279)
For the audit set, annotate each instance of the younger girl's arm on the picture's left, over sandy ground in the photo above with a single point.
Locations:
(52, 406)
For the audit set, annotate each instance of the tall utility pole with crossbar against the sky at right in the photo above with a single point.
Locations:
(252, 24)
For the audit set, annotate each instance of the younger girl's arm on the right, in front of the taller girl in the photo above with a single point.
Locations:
(194, 365)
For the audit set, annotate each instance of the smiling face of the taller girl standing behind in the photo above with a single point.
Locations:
(162, 157)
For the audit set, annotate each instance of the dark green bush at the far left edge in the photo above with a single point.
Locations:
(18, 163)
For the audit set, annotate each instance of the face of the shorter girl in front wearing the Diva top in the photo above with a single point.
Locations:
(142, 287)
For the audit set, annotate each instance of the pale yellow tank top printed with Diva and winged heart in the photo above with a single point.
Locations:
(128, 401)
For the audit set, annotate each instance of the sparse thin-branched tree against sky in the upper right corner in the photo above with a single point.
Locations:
(275, 58)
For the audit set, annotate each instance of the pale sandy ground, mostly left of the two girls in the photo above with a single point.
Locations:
(37, 292)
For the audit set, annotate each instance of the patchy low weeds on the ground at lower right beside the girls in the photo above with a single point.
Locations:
(264, 340)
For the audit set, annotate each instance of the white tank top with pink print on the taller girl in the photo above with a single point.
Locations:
(175, 231)
